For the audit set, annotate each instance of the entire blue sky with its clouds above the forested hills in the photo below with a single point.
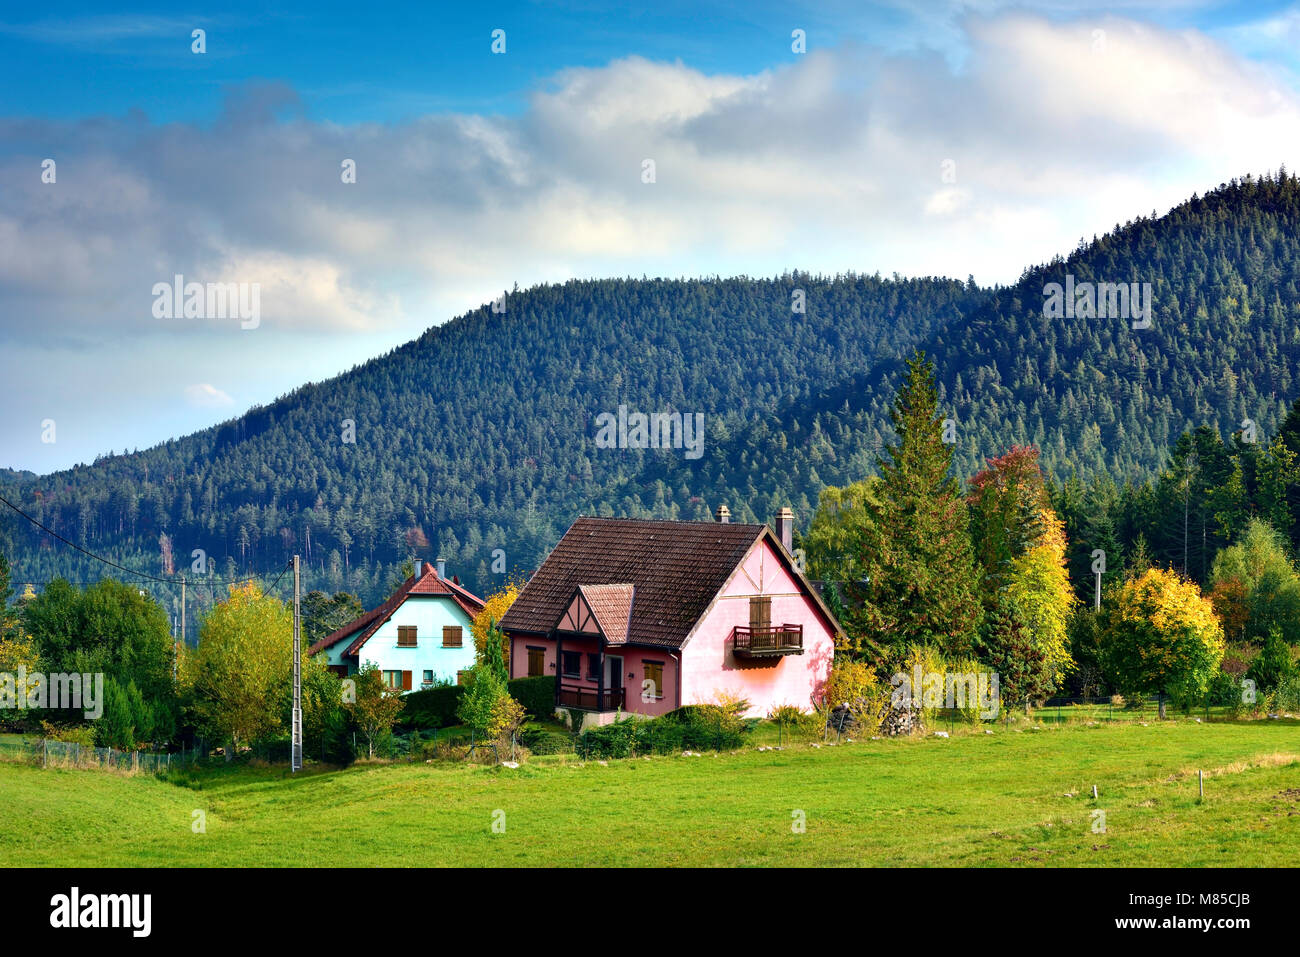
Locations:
(1054, 122)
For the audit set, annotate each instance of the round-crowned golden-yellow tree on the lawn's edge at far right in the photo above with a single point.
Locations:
(1162, 636)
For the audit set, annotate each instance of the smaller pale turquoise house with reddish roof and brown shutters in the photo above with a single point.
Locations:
(418, 638)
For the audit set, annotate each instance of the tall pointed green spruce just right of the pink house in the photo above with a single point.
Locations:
(920, 583)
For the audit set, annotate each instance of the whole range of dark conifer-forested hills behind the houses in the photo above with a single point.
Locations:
(482, 435)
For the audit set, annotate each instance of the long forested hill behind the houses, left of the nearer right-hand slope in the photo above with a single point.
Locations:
(480, 435)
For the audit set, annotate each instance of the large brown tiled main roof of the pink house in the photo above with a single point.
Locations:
(677, 569)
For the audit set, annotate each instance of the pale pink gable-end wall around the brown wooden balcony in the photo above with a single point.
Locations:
(709, 665)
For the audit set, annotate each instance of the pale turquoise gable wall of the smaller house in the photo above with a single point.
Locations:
(428, 614)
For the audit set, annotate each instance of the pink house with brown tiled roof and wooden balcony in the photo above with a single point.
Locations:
(647, 617)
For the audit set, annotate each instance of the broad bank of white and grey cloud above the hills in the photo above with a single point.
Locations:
(831, 163)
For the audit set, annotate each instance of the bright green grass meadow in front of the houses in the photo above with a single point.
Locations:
(970, 800)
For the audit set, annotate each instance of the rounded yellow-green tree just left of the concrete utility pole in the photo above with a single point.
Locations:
(231, 679)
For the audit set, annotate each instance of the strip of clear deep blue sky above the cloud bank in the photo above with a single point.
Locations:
(353, 67)
